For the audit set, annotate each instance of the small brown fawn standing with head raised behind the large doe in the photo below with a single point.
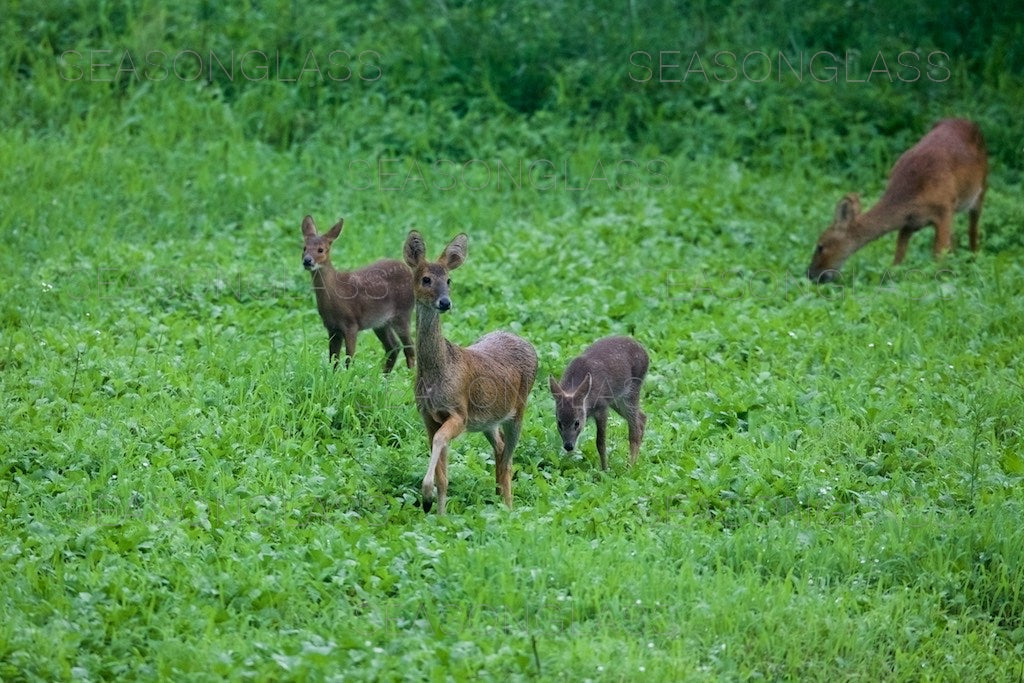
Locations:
(377, 297)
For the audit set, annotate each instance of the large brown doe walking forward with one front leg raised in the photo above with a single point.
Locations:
(480, 389)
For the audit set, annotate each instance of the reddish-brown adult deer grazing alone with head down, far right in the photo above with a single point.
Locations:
(945, 174)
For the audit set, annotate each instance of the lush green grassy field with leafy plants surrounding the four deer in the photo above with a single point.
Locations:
(832, 484)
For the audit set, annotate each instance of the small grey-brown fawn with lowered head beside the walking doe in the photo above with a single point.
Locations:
(608, 374)
